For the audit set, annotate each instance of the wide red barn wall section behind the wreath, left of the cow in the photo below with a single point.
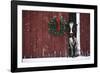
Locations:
(37, 42)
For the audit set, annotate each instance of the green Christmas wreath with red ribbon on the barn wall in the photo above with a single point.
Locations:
(56, 25)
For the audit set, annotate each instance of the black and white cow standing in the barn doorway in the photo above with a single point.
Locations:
(71, 28)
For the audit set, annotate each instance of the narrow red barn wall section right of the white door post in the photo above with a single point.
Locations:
(85, 33)
